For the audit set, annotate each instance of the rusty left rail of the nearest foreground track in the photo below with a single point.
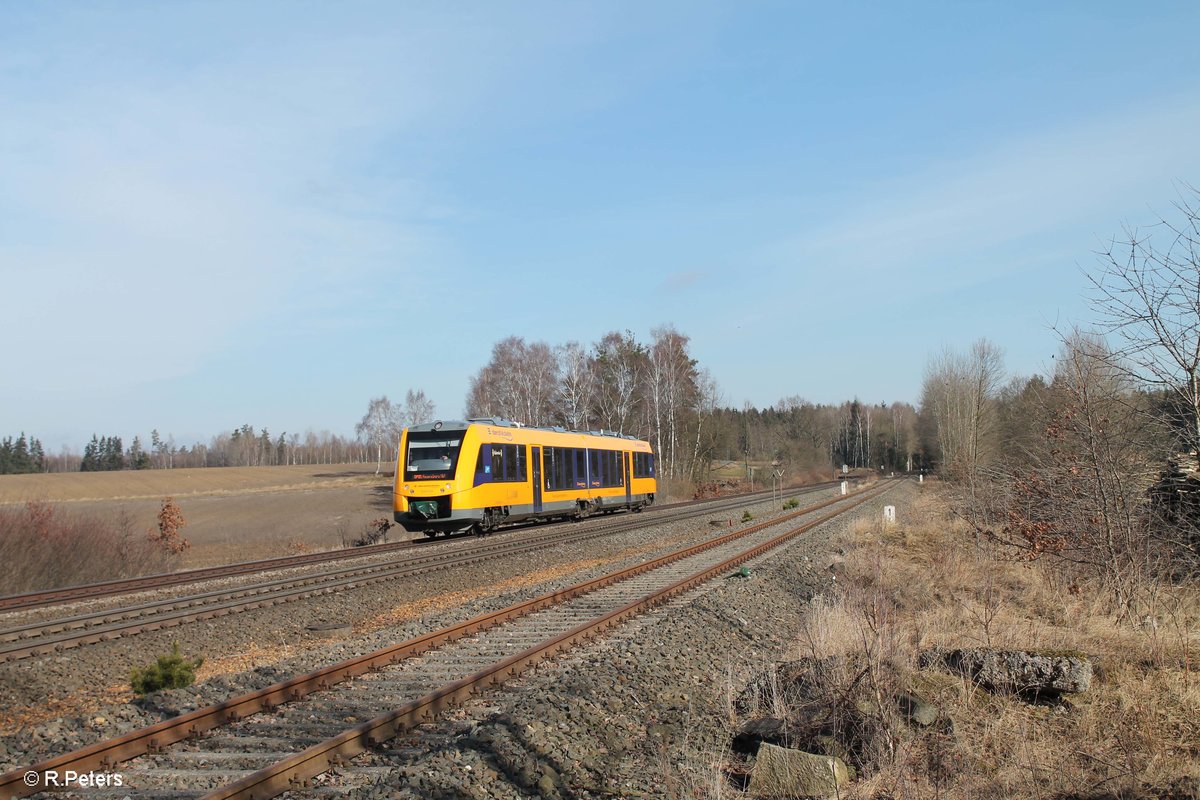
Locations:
(107, 755)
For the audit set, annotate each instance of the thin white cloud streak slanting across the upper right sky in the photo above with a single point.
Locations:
(1015, 193)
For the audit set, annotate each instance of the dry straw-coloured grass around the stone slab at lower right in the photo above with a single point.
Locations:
(928, 584)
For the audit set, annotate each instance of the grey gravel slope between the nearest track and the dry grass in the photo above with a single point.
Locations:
(645, 713)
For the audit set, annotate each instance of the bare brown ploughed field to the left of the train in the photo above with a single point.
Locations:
(233, 514)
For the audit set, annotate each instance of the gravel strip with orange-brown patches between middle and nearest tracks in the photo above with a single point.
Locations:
(56, 705)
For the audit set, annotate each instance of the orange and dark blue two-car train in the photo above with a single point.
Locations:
(481, 474)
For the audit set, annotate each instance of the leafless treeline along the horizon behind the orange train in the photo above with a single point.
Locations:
(651, 390)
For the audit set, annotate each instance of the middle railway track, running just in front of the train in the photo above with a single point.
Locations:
(49, 637)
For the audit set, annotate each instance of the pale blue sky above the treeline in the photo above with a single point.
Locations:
(268, 213)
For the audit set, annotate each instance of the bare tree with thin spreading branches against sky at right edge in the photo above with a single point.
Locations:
(1148, 297)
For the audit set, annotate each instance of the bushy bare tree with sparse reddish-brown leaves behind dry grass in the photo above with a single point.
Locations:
(1076, 491)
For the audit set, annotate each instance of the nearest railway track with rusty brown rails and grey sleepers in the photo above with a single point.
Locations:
(326, 718)
